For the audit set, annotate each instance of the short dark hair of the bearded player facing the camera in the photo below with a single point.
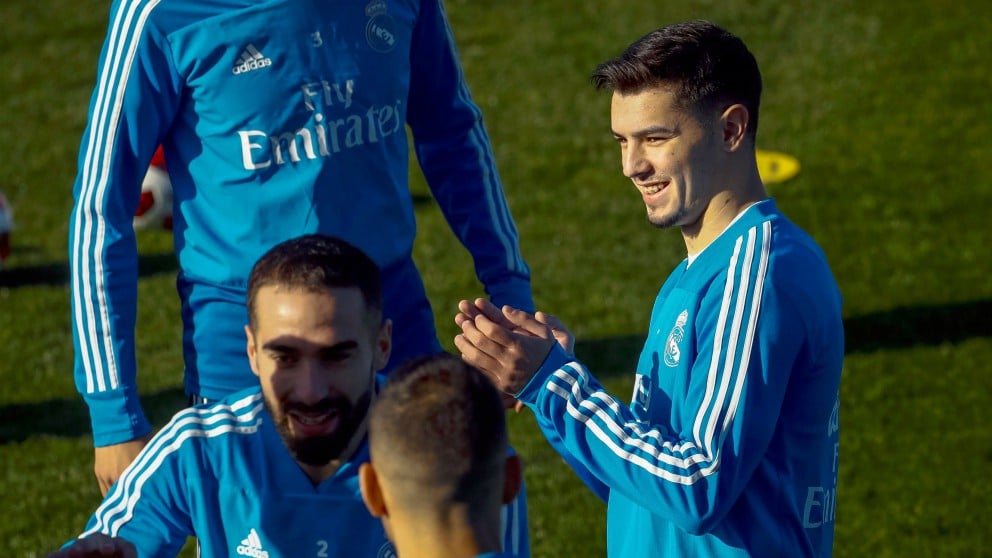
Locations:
(315, 263)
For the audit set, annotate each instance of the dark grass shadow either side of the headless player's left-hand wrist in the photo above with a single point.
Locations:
(69, 418)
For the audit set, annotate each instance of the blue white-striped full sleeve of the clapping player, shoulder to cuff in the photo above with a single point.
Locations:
(692, 468)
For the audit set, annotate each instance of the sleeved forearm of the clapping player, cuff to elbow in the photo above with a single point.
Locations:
(661, 471)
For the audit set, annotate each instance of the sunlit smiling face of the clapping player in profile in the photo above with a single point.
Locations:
(669, 153)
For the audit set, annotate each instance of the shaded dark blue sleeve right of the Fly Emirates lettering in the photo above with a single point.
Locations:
(454, 153)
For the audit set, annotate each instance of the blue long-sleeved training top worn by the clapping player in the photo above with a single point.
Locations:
(730, 444)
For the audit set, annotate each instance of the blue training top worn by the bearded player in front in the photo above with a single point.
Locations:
(222, 474)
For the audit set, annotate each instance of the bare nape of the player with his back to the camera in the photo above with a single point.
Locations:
(445, 535)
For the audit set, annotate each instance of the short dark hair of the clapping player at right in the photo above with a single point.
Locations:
(708, 67)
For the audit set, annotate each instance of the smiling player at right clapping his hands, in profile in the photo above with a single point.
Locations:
(729, 446)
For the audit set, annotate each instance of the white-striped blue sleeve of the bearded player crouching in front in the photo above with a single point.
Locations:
(148, 505)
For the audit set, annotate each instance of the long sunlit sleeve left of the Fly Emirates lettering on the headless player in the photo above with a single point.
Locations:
(132, 106)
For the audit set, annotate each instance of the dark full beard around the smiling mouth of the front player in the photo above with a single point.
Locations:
(320, 450)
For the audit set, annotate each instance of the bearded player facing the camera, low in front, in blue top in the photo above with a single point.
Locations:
(273, 470)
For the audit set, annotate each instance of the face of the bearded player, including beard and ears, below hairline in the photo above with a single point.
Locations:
(315, 355)
